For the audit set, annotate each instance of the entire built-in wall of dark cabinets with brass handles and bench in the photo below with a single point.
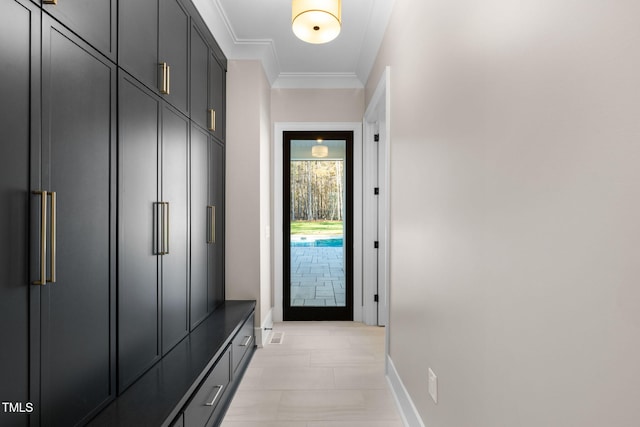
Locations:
(111, 213)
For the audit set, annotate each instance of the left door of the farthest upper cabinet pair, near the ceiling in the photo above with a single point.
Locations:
(199, 78)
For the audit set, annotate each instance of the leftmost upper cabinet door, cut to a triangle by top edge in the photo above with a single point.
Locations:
(93, 20)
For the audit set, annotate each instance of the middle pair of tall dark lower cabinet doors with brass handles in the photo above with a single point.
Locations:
(153, 240)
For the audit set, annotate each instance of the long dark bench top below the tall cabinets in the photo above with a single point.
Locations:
(159, 395)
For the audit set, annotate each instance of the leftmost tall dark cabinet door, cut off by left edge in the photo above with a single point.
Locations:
(19, 106)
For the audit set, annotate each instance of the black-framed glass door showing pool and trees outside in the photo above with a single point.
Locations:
(318, 225)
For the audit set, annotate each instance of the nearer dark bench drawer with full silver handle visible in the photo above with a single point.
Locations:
(210, 394)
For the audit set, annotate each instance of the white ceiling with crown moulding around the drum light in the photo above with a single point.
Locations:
(261, 29)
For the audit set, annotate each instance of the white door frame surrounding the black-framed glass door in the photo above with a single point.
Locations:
(277, 267)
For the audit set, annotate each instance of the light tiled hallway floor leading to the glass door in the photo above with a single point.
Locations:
(324, 374)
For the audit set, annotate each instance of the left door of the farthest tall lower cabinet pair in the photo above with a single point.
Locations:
(201, 215)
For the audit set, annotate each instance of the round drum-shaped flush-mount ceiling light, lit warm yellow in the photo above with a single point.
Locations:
(316, 21)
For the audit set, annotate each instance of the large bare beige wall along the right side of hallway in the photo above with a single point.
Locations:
(515, 209)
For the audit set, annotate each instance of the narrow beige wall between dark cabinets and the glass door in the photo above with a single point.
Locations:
(248, 207)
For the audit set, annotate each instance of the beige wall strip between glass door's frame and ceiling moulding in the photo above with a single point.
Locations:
(317, 105)
